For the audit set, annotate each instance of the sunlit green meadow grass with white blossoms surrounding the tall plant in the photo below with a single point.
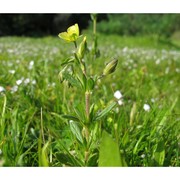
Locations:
(32, 129)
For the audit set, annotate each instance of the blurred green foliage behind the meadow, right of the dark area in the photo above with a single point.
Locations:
(140, 24)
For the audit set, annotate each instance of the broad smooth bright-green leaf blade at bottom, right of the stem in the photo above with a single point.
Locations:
(109, 154)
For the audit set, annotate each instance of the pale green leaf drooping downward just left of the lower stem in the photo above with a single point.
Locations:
(76, 130)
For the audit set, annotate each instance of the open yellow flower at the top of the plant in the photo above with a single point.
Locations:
(71, 35)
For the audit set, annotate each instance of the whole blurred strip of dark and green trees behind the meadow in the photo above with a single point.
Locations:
(38, 25)
